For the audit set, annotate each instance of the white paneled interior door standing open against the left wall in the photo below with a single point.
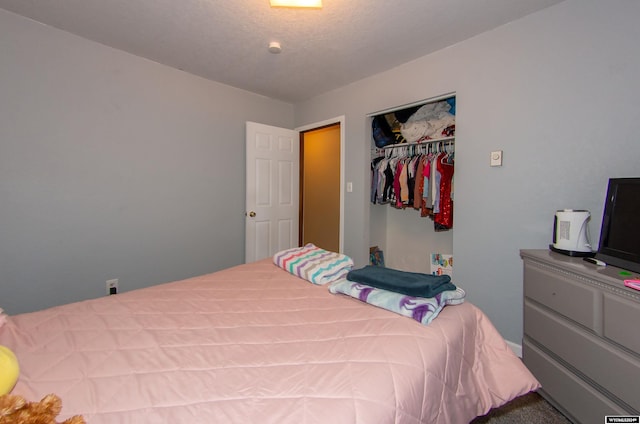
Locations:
(272, 190)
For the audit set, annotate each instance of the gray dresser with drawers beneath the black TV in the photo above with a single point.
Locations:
(582, 335)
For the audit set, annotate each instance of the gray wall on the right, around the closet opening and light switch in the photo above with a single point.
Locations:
(557, 91)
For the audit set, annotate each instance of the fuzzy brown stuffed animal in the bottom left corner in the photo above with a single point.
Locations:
(15, 409)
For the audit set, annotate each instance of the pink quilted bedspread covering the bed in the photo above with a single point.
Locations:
(254, 344)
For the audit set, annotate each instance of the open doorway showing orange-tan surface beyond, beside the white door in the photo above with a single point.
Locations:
(320, 183)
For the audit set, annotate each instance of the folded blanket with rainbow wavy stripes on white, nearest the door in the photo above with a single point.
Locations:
(314, 264)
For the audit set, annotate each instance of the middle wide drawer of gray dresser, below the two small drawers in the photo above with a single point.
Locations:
(616, 371)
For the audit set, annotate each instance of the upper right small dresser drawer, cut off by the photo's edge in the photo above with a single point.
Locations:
(621, 320)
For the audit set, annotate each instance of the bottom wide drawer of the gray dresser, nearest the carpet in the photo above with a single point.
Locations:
(568, 392)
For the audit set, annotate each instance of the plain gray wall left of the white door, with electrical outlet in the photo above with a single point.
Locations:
(112, 166)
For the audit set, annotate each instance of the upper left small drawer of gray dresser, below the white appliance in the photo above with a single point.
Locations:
(558, 292)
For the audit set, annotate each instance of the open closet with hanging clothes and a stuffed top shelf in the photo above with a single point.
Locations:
(412, 185)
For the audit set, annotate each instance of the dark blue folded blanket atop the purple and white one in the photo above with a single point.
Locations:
(408, 283)
